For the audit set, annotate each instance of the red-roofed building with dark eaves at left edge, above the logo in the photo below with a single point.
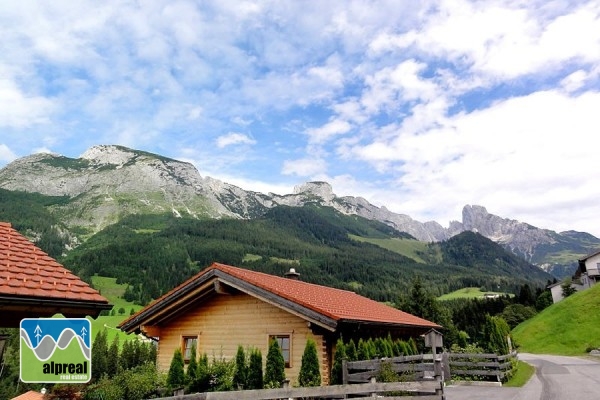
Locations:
(34, 285)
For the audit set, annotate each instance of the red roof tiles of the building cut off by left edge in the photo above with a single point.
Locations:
(26, 271)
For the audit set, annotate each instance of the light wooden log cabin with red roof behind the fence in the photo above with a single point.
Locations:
(223, 307)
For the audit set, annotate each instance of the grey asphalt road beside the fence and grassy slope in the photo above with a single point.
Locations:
(556, 378)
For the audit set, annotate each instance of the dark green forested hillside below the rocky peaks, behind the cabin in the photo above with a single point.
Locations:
(154, 253)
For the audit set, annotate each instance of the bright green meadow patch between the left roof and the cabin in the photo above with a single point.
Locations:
(113, 292)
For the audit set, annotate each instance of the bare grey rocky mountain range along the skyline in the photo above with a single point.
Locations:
(107, 183)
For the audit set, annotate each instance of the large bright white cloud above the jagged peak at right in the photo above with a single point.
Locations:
(521, 157)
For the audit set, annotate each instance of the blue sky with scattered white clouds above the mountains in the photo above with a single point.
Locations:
(418, 106)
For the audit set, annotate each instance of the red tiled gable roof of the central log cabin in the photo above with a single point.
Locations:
(336, 304)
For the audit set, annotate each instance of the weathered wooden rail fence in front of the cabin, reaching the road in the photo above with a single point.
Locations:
(421, 375)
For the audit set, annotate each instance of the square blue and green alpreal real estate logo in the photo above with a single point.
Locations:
(56, 350)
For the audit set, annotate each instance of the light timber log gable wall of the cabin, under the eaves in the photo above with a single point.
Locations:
(228, 320)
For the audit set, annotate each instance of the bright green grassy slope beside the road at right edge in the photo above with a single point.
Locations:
(568, 328)
